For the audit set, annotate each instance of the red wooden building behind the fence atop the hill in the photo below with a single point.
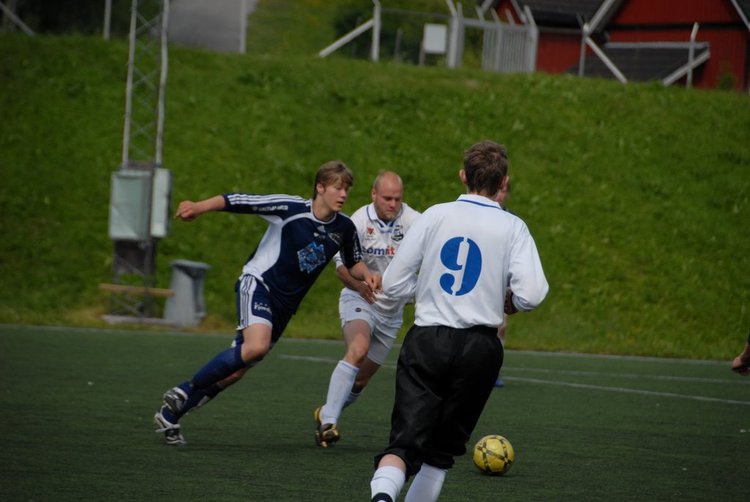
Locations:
(641, 40)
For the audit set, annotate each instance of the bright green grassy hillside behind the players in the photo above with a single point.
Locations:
(638, 196)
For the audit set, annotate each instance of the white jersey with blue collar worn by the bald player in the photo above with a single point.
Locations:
(380, 240)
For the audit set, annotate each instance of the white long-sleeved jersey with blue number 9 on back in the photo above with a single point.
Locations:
(459, 258)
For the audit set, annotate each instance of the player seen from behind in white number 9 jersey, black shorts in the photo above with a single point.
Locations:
(458, 258)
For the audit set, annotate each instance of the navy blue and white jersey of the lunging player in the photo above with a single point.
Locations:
(296, 245)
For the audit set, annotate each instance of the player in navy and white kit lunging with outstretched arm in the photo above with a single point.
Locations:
(302, 237)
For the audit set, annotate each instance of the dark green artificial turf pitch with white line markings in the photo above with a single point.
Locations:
(75, 422)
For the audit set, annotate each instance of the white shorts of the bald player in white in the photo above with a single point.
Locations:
(383, 329)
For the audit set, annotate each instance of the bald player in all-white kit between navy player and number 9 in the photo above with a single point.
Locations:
(370, 320)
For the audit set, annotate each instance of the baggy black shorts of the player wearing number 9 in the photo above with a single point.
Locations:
(444, 378)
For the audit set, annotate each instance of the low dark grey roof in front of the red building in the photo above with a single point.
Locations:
(643, 62)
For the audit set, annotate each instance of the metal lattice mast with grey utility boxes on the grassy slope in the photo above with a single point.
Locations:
(140, 187)
